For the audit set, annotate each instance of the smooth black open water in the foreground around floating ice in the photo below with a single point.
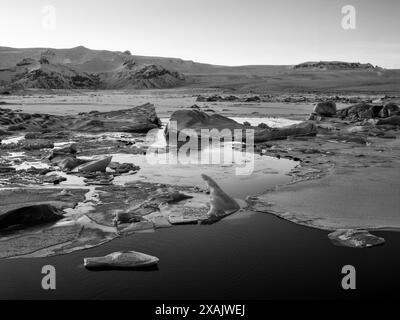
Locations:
(251, 258)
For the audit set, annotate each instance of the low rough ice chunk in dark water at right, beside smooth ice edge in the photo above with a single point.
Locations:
(354, 238)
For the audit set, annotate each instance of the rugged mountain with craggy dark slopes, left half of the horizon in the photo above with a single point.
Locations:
(79, 68)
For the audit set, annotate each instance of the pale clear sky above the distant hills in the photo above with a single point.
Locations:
(223, 32)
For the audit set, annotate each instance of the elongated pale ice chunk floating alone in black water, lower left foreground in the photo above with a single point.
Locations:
(121, 259)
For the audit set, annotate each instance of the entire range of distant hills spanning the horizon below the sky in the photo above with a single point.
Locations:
(81, 67)
